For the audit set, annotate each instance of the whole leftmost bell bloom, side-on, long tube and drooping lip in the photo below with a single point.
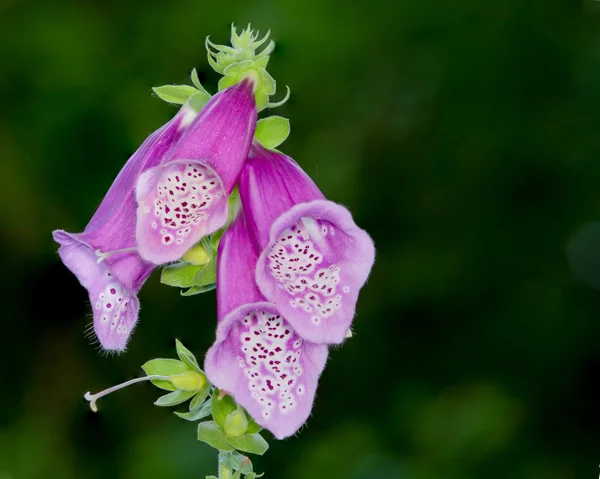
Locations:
(103, 257)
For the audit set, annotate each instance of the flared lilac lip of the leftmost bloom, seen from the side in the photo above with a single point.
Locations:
(113, 325)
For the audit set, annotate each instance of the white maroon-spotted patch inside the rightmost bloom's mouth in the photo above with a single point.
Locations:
(303, 268)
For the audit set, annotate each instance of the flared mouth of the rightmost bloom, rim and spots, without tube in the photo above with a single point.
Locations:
(313, 268)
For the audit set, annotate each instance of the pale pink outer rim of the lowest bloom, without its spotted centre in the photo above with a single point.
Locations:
(223, 370)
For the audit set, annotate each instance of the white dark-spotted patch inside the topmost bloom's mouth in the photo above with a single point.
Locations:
(184, 195)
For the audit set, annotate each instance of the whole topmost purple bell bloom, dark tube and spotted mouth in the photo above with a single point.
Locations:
(185, 199)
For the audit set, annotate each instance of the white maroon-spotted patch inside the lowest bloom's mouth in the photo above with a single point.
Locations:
(271, 354)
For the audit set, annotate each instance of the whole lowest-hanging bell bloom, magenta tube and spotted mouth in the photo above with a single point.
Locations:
(258, 357)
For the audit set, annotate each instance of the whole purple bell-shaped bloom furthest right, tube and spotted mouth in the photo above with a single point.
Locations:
(313, 258)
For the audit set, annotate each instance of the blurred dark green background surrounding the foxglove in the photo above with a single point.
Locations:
(464, 136)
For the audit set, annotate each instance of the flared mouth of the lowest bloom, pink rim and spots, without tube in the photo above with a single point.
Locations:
(260, 360)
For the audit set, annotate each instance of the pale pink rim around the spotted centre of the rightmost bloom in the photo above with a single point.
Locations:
(356, 267)
